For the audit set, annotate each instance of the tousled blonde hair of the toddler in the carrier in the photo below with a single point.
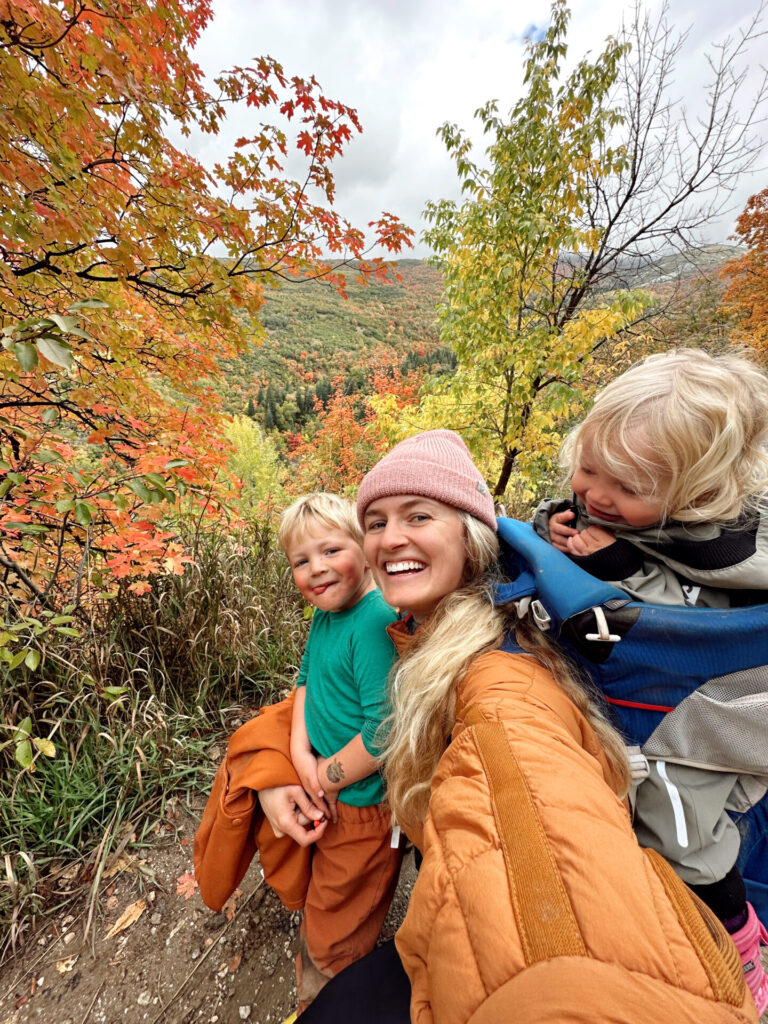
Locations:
(685, 428)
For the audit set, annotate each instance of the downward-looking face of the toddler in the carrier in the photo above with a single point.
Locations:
(609, 498)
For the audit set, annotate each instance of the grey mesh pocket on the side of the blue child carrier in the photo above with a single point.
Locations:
(722, 726)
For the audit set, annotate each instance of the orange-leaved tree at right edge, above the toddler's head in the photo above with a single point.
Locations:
(747, 294)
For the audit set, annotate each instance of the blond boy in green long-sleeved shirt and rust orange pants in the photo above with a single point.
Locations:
(342, 700)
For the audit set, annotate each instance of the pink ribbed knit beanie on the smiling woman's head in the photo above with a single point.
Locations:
(436, 464)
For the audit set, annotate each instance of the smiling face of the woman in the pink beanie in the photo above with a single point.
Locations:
(416, 549)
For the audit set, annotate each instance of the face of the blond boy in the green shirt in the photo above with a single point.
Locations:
(329, 568)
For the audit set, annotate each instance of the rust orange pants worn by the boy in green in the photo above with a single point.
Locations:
(354, 877)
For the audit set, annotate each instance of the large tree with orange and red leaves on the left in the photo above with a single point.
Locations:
(129, 270)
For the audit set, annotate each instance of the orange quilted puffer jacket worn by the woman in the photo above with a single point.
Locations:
(535, 902)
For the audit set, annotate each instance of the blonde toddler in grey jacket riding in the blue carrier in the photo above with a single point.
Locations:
(670, 480)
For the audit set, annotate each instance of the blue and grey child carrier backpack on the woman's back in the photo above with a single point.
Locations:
(688, 686)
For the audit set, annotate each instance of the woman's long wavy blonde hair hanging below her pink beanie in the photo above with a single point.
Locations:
(423, 685)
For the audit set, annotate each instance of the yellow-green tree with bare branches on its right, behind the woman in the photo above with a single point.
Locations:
(590, 174)
